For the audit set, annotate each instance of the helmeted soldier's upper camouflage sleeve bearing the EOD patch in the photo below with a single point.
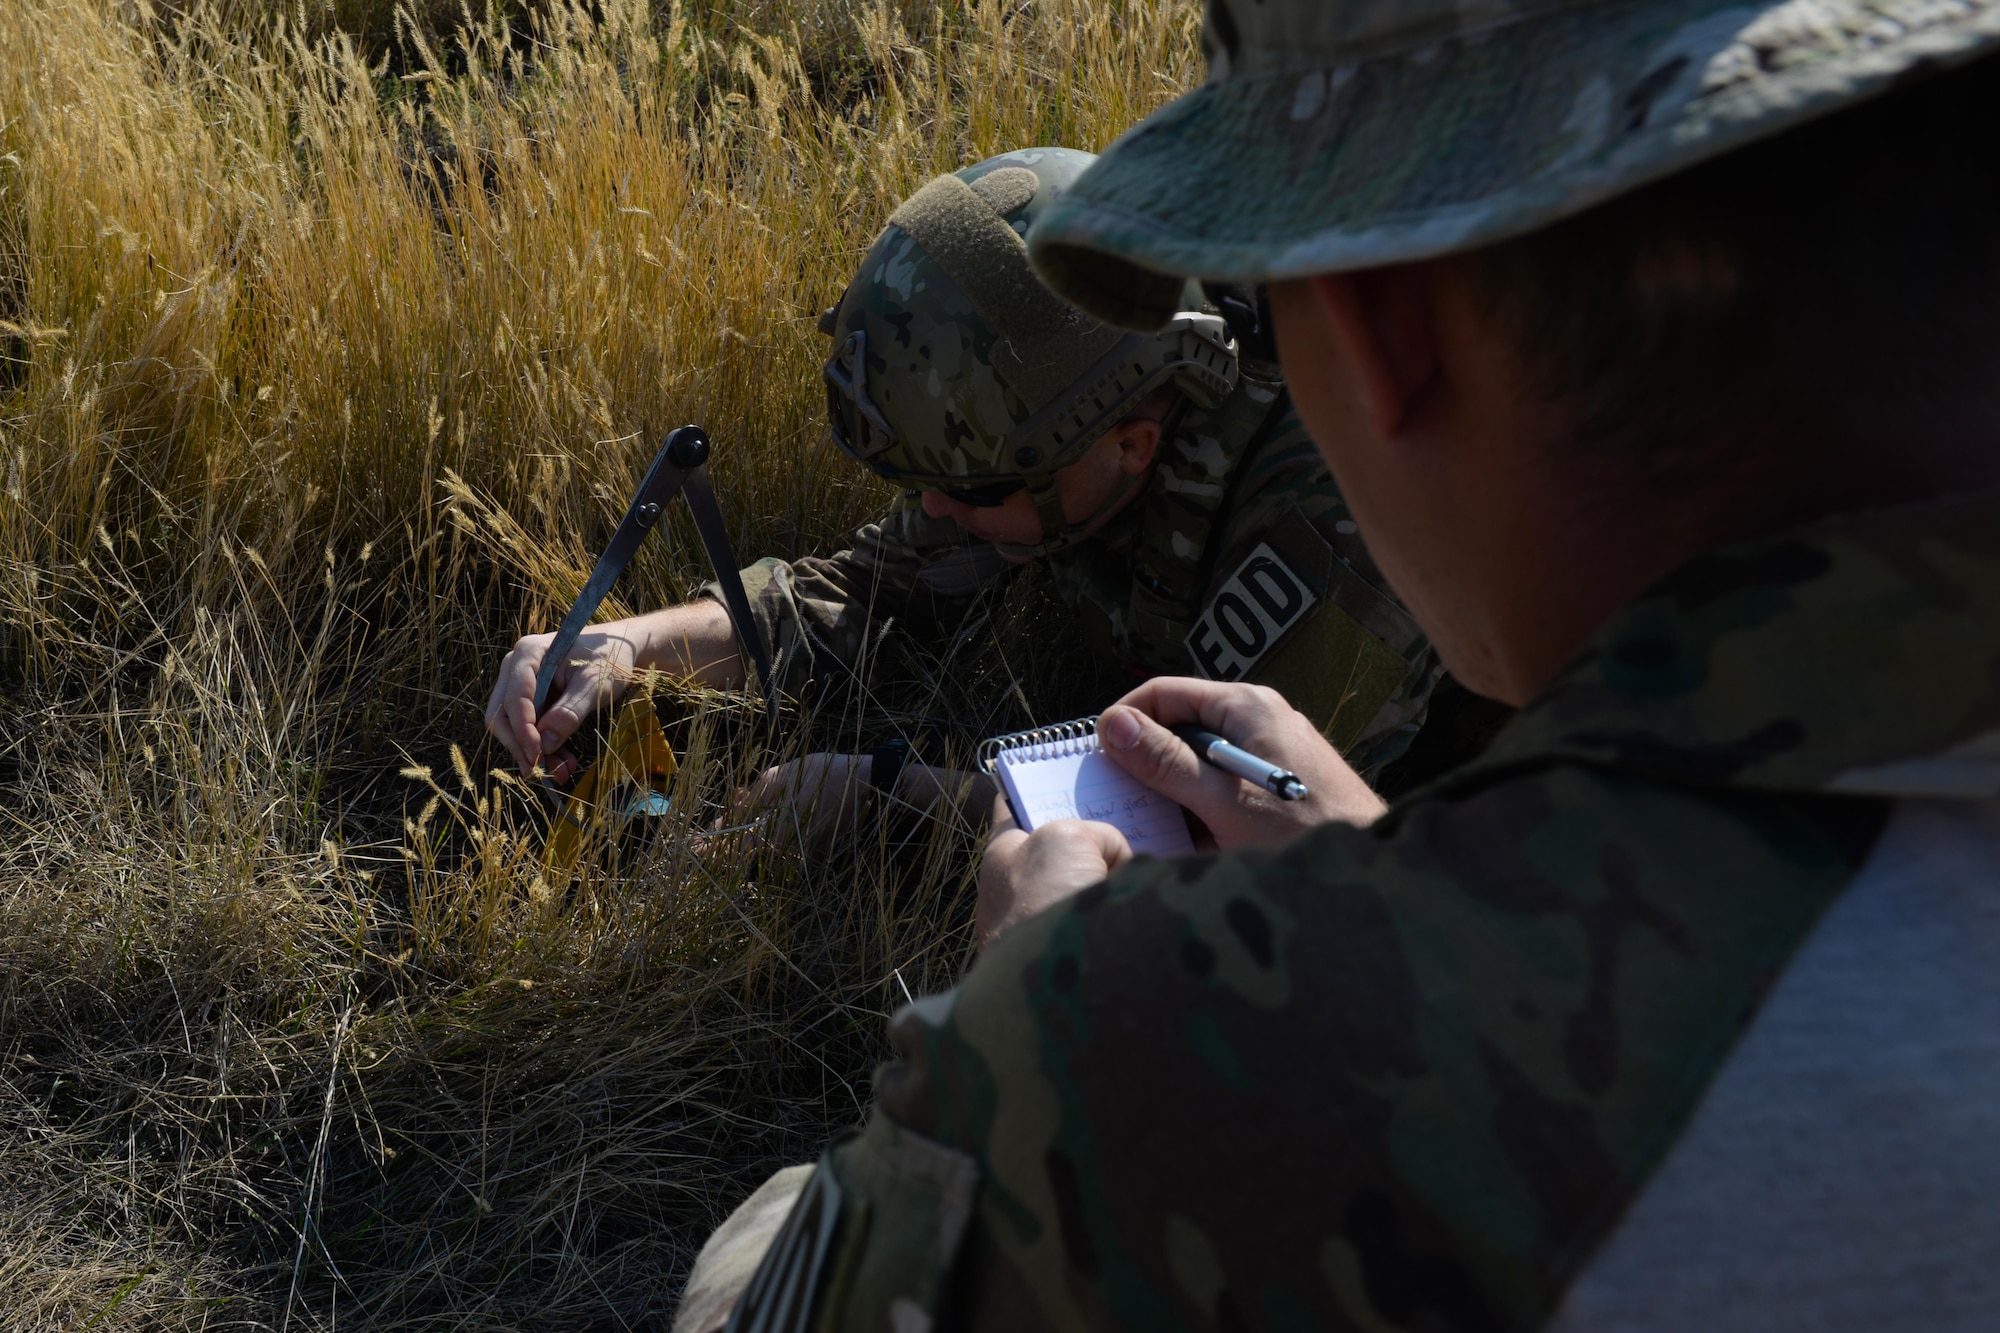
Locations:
(1303, 607)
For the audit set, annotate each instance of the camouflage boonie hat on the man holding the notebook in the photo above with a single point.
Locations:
(1365, 133)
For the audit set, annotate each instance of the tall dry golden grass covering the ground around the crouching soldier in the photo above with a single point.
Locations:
(331, 343)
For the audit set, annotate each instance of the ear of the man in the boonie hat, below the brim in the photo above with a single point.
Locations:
(1385, 327)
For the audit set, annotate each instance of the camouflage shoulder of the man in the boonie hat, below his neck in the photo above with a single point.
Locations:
(1859, 655)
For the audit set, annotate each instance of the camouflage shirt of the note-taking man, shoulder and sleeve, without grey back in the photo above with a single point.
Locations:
(1427, 1064)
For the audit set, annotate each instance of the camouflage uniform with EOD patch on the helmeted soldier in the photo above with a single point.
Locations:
(1231, 483)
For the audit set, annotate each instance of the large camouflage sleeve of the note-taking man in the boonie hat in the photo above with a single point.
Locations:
(1395, 1078)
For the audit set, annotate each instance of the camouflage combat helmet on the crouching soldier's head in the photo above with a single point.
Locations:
(957, 371)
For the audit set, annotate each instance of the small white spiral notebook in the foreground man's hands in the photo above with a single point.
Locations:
(1061, 774)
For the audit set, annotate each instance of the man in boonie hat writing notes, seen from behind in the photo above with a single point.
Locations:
(1657, 349)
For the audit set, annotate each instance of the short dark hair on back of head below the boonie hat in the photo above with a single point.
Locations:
(1839, 285)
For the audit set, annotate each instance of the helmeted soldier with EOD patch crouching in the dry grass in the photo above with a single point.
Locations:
(1163, 479)
